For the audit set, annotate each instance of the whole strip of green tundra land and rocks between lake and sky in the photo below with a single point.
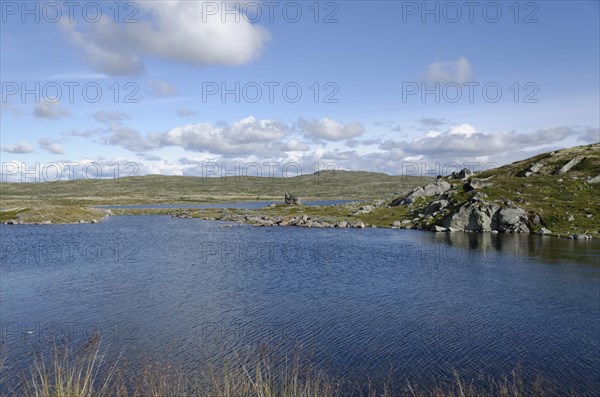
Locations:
(555, 193)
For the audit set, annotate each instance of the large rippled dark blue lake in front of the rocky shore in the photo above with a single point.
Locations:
(364, 302)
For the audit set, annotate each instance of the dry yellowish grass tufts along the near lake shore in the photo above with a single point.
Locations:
(85, 373)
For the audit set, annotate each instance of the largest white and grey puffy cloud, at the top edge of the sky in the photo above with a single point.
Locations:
(172, 30)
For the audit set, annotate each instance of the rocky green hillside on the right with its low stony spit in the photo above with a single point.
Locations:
(564, 204)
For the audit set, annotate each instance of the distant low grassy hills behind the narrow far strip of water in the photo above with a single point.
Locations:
(69, 201)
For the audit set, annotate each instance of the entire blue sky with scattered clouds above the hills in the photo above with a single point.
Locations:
(99, 89)
